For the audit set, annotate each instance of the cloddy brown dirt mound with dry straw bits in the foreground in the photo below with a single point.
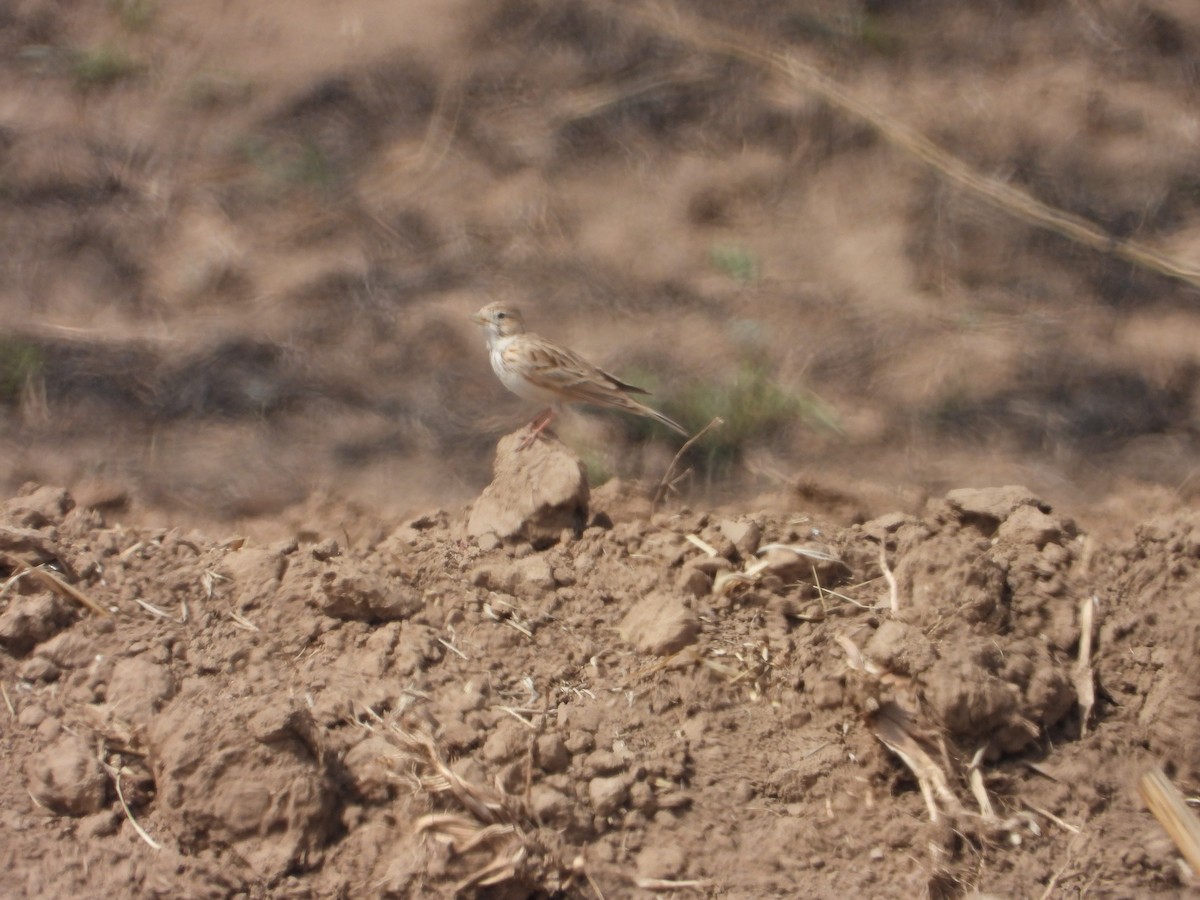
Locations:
(686, 700)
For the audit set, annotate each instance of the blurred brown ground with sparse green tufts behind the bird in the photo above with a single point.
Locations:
(242, 245)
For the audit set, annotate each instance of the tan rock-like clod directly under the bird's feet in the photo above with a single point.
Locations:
(536, 495)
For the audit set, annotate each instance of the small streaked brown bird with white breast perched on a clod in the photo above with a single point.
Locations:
(545, 373)
